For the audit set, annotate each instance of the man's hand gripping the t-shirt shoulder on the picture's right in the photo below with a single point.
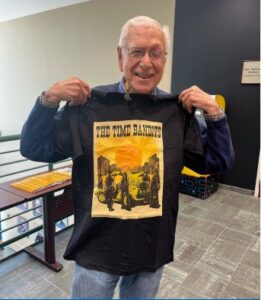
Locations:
(194, 97)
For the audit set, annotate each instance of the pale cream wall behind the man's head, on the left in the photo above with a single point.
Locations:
(79, 40)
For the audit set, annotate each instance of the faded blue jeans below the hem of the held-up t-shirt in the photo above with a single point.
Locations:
(91, 284)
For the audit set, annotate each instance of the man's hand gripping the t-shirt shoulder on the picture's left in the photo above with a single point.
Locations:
(74, 90)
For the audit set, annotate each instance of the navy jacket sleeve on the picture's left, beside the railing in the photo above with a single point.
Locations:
(46, 135)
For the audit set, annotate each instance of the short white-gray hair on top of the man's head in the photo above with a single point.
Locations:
(146, 21)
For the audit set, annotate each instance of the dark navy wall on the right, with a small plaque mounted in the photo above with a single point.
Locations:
(212, 38)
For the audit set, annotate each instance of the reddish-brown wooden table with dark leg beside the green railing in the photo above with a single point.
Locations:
(54, 208)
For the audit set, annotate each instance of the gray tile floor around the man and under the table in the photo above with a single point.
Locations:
(217, 255)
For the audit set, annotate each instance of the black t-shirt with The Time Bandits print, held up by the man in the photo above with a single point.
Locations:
(127, 160)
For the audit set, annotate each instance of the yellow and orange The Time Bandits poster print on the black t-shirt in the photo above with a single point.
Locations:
(128, 169)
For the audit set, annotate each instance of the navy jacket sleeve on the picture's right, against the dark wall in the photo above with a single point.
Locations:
(208, 149)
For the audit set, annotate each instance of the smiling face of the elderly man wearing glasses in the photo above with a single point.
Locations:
(142, 74)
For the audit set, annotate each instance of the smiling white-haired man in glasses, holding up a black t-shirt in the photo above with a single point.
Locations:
(130, 128)
